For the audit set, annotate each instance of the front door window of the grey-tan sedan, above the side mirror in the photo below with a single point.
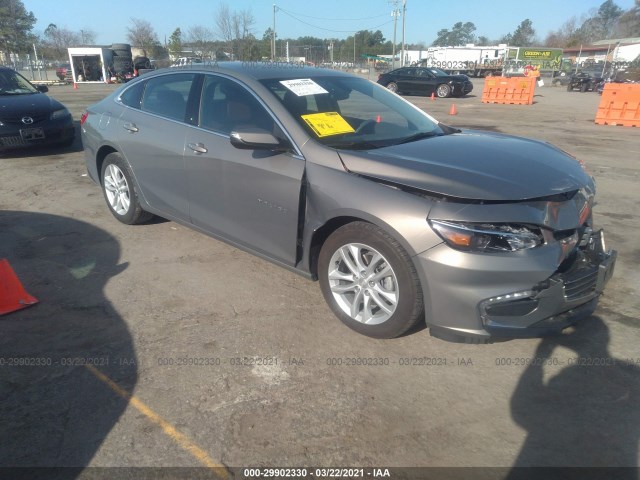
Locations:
(226, 105)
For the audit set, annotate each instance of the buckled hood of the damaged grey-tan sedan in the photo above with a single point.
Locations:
(473, 165)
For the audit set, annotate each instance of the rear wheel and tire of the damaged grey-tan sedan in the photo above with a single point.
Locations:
(120, 192)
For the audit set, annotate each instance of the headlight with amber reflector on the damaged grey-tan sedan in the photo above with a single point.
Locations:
(483, 237)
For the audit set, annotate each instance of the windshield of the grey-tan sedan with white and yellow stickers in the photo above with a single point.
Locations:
(351, 112)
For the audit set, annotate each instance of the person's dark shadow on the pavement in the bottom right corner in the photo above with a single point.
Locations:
(588, 414)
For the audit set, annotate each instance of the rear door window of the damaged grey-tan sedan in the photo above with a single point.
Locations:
(167, 95)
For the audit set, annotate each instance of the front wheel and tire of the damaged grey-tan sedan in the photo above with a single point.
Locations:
(369, 281)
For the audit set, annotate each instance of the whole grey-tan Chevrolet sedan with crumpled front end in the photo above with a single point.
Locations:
(402, 219)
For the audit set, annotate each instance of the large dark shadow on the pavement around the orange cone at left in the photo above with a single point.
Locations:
(55, 412)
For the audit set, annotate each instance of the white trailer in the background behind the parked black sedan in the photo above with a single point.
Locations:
(472, 60)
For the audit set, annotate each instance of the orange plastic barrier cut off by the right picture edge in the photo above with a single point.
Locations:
(620, 105)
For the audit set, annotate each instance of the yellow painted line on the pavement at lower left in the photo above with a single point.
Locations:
(179, 438)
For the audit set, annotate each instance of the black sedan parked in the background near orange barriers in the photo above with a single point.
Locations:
(425, 81)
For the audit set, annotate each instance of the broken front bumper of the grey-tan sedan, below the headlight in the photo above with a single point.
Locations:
(504, 306)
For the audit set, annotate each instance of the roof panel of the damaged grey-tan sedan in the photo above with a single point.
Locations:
(260, 70)
